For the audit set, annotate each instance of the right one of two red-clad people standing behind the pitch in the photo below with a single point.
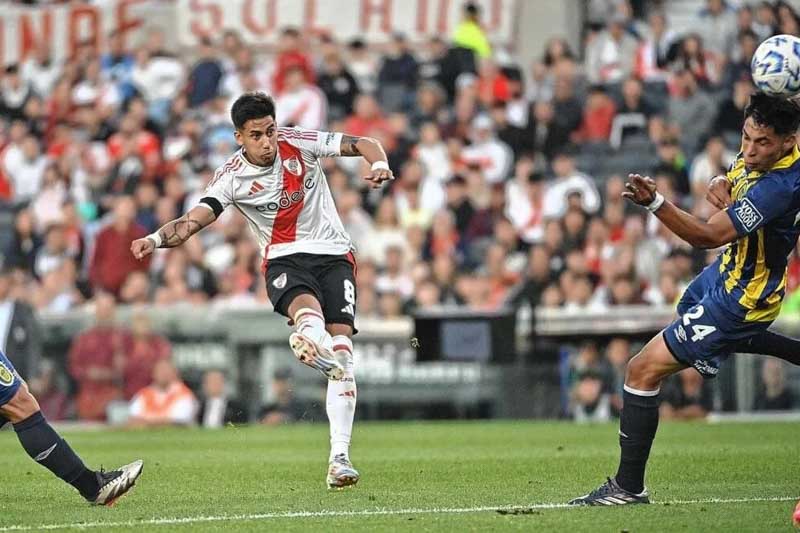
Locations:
(147, 348)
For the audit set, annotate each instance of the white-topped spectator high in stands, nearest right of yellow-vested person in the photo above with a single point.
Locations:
(611, 54)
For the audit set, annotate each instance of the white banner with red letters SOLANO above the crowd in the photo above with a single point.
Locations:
(261, 21)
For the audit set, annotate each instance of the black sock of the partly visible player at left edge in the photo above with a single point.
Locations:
(47, 448)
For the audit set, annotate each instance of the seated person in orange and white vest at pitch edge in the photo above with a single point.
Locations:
(167, 401)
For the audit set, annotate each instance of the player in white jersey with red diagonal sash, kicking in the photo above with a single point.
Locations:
(276, 182)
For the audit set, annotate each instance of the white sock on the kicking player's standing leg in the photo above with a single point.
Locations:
(341, 400)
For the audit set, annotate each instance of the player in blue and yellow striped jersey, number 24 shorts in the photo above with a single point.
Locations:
(729, 306)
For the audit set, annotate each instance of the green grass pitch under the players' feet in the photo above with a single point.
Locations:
(257, 471)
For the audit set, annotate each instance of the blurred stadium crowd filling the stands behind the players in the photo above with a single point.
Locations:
(508, 176)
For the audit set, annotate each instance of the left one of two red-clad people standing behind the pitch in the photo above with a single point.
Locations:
(96, 361)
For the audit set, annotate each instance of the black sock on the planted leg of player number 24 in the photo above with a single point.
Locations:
(637, 426)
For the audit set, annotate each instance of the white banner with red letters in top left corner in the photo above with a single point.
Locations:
(63, 27)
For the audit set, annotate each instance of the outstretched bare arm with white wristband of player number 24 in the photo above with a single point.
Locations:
(717, 231)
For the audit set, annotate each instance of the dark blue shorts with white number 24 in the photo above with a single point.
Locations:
(706, 333)
